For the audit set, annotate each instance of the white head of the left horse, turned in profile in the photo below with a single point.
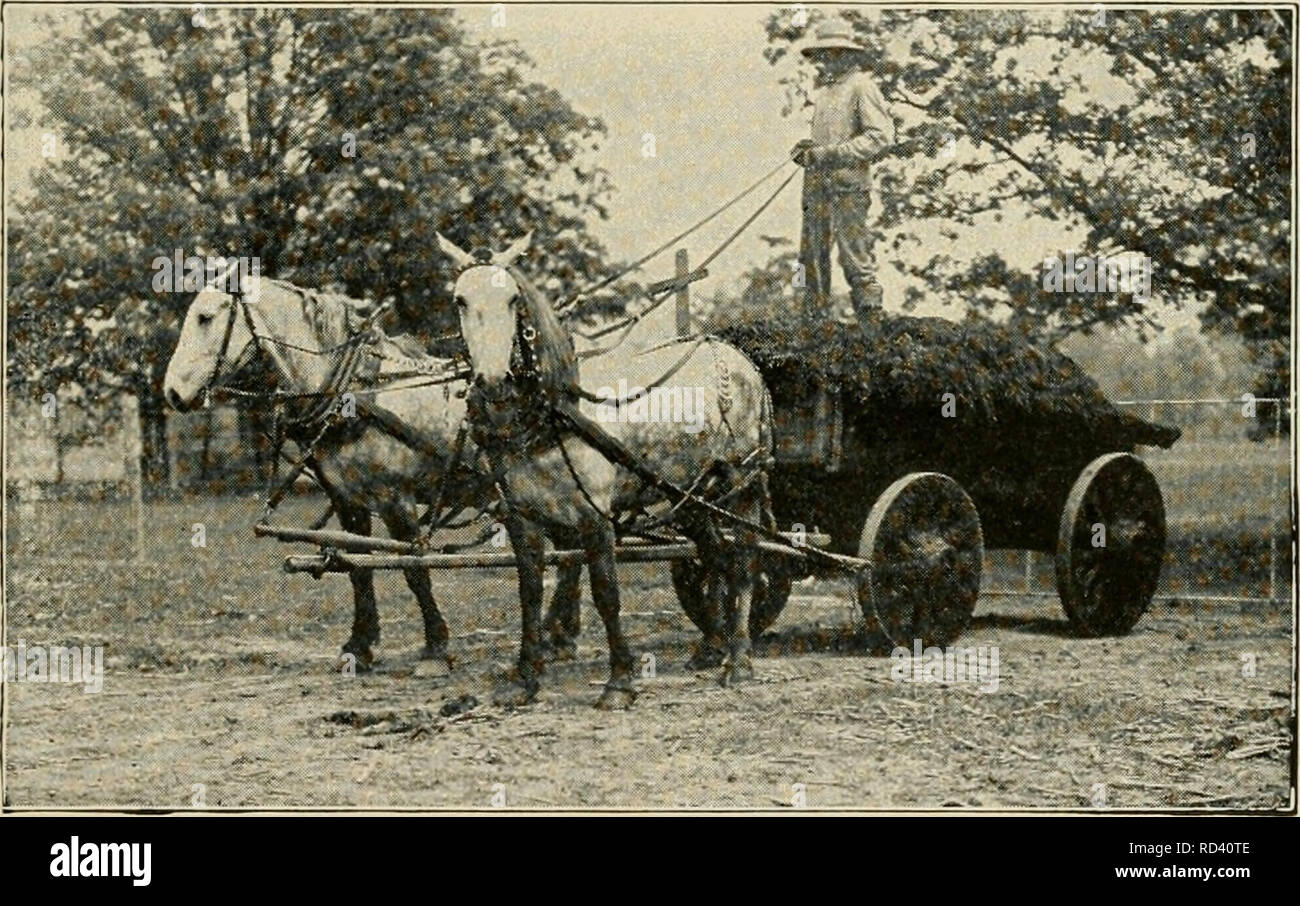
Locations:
(216, 343)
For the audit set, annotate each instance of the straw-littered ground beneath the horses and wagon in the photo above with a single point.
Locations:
(222, 683)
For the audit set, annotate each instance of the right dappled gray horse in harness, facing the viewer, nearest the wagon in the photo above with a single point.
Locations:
(553, 480)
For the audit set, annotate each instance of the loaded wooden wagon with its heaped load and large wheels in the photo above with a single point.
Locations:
(920, 443)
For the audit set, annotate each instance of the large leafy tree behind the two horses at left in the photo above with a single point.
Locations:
(327, 144)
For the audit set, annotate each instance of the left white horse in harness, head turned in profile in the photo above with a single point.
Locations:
(362, 462)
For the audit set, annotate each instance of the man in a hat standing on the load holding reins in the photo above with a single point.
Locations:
(851, 128)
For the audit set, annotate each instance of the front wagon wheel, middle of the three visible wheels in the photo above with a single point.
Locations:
(926, 549)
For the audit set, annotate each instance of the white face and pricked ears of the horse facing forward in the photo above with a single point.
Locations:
(491, 304)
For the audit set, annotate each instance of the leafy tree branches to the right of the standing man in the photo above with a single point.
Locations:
(1164, 132)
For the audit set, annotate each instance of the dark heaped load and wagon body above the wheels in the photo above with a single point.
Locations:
(1015, 424)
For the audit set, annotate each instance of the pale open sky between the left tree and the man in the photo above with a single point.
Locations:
(692, 76)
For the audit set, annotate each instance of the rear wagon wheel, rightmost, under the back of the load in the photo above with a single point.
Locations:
(1111, 547)
